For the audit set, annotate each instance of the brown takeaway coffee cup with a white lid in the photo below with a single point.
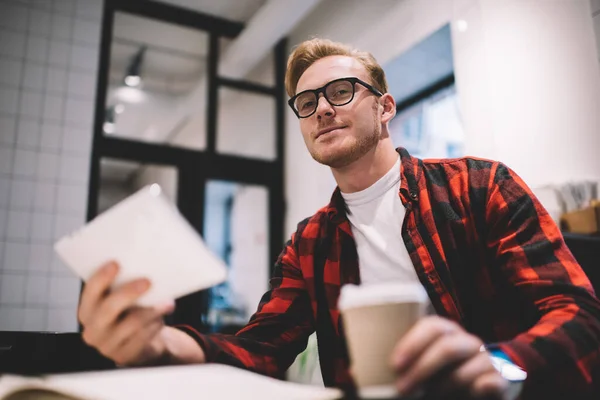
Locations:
(375, 317)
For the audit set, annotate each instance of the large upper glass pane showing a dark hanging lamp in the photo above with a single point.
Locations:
(157, 82)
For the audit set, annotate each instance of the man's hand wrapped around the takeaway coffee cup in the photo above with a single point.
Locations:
(439, 355)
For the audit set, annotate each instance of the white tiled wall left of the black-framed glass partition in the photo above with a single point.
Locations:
(48, 66)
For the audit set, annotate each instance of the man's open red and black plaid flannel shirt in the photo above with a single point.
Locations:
(486, 251)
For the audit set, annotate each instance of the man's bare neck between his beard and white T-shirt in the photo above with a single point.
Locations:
(368, 169)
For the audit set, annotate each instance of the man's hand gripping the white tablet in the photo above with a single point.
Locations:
(127, 334)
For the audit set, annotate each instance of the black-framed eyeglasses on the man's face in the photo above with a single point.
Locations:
(338, 92)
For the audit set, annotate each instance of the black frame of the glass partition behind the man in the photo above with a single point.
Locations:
(195, 167)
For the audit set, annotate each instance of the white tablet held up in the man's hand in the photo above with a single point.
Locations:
(149, 238)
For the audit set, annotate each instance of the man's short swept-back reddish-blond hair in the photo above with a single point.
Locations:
(307, 52)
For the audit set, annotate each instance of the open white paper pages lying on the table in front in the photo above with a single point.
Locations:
(207, 381)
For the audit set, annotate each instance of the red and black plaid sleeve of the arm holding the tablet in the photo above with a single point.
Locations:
(276, 333)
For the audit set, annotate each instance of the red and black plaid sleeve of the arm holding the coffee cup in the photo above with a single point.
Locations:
(561, 351)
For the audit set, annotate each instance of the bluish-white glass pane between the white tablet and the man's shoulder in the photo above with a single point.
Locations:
(236, 229)
